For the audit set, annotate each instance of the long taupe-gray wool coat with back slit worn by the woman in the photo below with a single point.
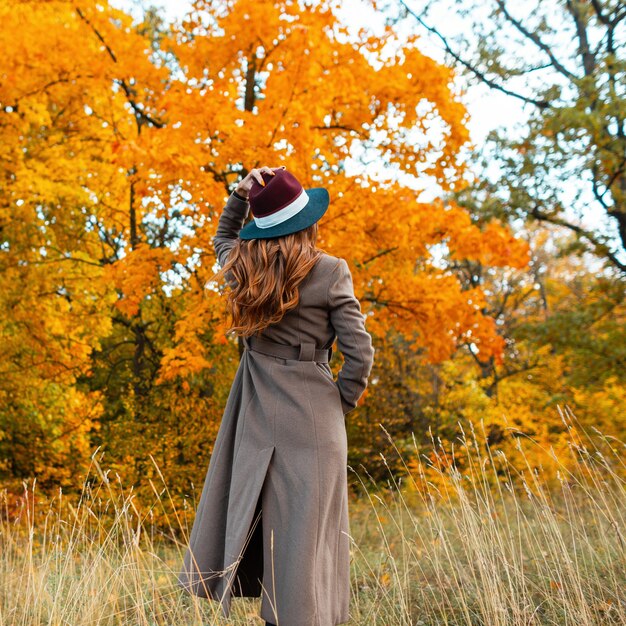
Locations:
(281, 451)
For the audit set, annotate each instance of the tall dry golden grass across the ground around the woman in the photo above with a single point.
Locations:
(480, 546)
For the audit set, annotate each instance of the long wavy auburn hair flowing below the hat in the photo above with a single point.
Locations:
(267, 274)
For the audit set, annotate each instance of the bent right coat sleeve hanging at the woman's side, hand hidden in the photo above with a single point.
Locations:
(353, 340)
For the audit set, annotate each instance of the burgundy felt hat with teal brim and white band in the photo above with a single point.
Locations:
(282, 206)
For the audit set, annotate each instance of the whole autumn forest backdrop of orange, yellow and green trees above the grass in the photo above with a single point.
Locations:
(493, 302)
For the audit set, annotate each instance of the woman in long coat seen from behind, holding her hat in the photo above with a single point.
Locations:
(272, 518)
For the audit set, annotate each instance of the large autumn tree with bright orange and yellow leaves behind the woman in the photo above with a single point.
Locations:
(120, 148)
